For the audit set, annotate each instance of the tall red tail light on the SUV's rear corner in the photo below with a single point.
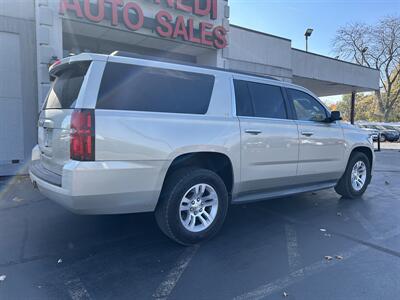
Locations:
(82, 135)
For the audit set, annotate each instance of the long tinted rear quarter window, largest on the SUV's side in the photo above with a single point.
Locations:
(128, 87)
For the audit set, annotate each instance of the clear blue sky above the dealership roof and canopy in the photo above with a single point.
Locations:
(291, 18)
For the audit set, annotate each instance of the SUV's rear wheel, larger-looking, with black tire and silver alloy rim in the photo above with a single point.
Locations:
(192, 206)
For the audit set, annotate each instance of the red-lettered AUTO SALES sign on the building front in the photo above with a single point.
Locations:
(131, 15)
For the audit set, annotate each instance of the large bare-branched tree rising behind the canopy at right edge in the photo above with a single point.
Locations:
(376, 46)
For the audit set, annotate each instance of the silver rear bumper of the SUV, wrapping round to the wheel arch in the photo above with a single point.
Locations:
(111, 187)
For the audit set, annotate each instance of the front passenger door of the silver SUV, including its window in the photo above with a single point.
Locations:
(322, 144)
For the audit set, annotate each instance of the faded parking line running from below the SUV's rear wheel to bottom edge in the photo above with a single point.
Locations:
(167, 285)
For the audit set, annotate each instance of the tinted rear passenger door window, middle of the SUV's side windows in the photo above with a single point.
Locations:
(259, 100)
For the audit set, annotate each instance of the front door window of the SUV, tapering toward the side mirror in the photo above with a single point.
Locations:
(307, 108)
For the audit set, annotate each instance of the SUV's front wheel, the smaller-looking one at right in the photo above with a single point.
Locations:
(356, 178)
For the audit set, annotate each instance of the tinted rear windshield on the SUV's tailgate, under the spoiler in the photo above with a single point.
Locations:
(65, 88)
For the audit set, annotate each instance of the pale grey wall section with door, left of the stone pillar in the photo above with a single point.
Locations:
(18, 86)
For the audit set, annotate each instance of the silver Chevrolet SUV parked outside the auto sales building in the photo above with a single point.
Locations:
(123, 134)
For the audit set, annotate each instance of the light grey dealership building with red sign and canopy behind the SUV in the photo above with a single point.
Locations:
(34, 34)
